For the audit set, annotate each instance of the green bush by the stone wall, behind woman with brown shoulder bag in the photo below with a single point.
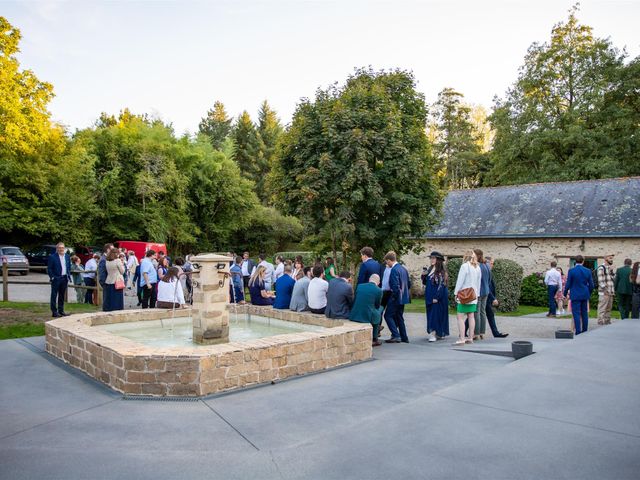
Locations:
(507, 275)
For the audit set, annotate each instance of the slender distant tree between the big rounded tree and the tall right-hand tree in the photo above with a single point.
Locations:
(457, 145)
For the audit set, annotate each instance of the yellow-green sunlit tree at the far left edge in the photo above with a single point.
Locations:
(45, 188)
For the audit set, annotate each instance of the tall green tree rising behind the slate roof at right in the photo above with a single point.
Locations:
(549, 126)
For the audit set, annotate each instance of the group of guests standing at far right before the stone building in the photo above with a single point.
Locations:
(574, 290)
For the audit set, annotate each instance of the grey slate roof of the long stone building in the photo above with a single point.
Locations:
(590, 208)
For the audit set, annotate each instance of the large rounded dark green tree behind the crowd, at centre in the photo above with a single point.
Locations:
(355, 165)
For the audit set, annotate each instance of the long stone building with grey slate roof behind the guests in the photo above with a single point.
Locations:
(537, 223)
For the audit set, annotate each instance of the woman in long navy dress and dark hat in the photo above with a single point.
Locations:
(436, 297)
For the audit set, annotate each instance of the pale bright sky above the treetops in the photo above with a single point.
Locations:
(173, 59)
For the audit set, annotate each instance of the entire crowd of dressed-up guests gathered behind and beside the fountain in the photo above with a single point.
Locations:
(381, 290)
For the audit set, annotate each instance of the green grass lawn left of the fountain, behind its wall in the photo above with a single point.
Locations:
(26, 319)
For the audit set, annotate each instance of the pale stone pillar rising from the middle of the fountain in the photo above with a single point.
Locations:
(210, 298)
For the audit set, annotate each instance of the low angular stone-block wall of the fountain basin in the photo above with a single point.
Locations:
(131, 367)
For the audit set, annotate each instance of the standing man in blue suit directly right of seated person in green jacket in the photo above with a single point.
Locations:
(400, 284)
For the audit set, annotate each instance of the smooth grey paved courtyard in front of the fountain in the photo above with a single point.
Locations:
(418, 410)
